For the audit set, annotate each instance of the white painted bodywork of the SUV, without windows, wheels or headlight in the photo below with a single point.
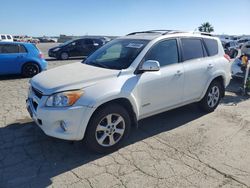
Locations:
(149, 93)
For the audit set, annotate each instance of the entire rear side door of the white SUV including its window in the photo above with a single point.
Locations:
(197, 67)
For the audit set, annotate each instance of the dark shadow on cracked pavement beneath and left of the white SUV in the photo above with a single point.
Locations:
(30, 158)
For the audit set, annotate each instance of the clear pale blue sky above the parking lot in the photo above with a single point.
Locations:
(119, 17)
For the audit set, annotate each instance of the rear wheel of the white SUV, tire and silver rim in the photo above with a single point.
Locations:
(212, 97)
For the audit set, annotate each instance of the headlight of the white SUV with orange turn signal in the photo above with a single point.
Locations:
(64, 99)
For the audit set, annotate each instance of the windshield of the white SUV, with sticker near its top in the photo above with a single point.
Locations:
(117, 54)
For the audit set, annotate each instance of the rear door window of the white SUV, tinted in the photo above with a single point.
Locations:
(191, 49)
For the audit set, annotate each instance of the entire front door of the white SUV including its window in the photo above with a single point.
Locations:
(164, 88)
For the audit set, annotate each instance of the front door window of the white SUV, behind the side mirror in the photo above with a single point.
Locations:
(166, 52)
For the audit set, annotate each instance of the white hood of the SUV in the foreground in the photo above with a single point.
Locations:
(70, 77)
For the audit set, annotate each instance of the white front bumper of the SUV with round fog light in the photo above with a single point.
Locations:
(67, 123)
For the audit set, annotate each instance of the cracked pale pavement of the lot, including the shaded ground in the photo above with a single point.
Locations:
(179, 148)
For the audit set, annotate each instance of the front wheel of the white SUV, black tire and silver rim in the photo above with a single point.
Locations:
(107, 129)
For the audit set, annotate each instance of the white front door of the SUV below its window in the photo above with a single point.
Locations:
(162, 89)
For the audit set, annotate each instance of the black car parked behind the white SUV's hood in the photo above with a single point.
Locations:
(77, 48)
